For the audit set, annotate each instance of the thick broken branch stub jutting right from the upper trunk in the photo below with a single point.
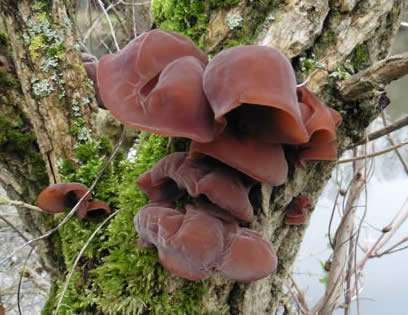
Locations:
(375, 77)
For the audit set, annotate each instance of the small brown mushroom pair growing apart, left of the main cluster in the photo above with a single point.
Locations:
(57, 197)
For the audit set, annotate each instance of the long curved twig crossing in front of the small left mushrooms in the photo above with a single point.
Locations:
(75, 208)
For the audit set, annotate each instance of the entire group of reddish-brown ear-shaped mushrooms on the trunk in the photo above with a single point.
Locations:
(242, 111)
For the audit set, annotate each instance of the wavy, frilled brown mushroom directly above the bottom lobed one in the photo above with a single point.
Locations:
(173, 175)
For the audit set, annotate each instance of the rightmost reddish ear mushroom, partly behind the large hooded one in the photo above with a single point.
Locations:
(321, 123)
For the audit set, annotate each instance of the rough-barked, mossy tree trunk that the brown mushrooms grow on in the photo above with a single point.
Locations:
(327, 40)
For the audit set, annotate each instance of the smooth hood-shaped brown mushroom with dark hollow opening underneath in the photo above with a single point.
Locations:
(253, 88)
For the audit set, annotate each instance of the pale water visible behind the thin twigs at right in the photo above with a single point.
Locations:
(385, 280)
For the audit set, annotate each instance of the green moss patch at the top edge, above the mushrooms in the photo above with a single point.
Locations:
(189, 17)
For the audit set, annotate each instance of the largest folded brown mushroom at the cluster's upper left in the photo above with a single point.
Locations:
(155, 84)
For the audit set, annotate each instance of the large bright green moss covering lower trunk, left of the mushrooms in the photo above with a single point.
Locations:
(114, 276)
